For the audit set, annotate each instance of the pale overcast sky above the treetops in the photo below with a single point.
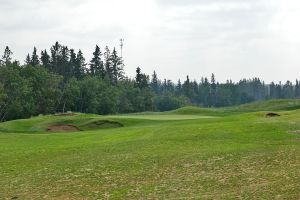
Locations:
(232, 38)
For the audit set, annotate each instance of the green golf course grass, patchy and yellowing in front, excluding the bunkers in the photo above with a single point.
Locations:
(190, 153)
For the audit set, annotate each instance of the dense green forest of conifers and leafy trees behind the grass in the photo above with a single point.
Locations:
(62, 80)
